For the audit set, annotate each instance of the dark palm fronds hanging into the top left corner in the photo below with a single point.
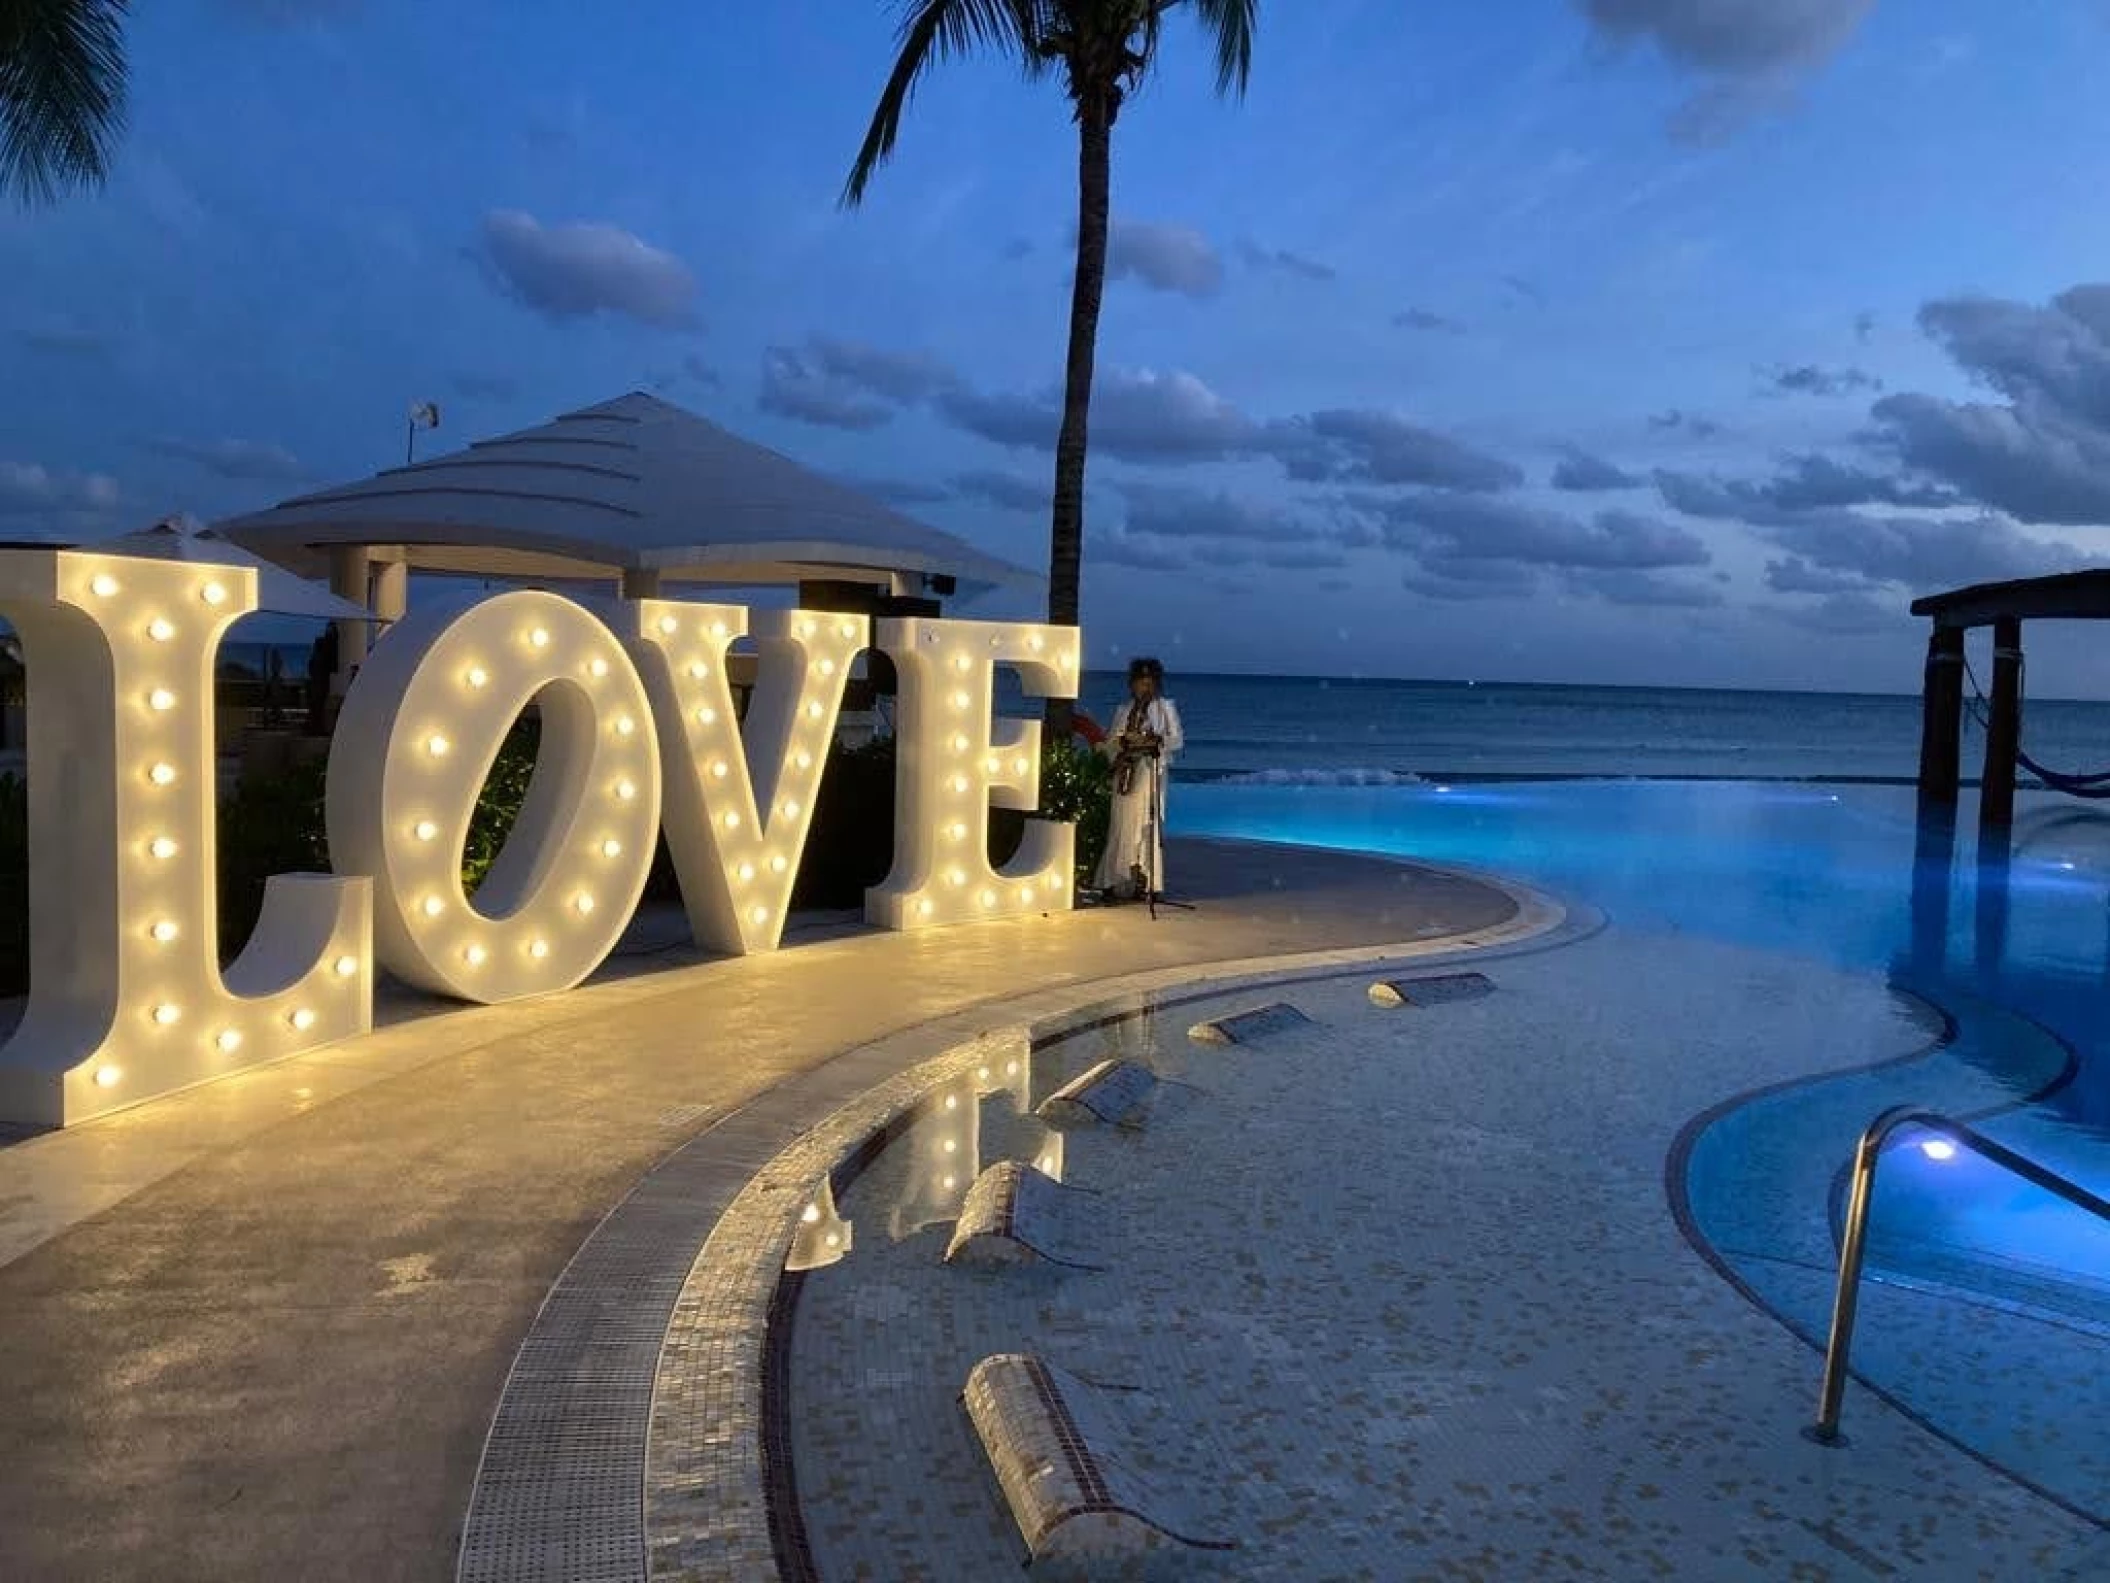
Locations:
(62, 96)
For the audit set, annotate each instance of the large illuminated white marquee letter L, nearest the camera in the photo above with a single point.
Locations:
(126, 991)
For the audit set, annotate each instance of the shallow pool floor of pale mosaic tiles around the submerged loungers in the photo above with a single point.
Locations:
(1406, 1301)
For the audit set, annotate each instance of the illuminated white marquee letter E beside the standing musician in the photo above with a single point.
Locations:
(953, 765)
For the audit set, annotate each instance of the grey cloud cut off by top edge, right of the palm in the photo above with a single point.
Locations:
(1748, 54)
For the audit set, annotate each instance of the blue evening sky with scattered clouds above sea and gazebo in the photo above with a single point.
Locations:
(1613, 341)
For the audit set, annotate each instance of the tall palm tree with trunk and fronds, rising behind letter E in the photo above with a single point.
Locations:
(1102, 50)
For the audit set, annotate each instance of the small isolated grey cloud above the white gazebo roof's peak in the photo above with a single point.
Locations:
(577, 271)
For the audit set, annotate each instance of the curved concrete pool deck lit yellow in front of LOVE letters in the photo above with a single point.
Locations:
(261, 1329)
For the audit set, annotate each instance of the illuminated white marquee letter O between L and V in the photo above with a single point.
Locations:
(419, 736)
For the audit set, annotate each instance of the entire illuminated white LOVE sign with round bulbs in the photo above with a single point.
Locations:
(640, 733)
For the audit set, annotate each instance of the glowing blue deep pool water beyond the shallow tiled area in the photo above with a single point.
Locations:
(1828, 875)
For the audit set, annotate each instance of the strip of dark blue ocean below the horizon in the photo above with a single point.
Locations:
(1316, 731)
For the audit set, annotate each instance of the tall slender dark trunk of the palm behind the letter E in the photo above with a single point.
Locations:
(1067, 535)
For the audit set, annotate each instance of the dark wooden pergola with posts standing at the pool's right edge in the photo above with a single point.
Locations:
(2003, 607)
